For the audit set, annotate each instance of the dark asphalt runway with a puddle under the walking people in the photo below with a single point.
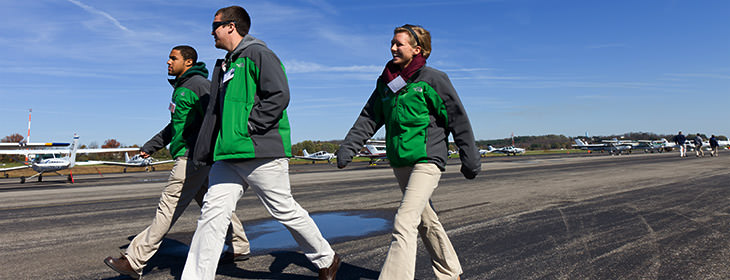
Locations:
(578, 216)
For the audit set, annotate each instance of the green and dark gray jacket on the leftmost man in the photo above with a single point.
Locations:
(191, 90)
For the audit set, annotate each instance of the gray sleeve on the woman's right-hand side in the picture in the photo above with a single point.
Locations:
(459, 126)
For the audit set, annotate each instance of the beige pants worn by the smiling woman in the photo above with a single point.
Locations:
(416, 216)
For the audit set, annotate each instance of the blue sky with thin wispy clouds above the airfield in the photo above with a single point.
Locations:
(532, 67)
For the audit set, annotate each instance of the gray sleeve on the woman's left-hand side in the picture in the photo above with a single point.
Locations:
(365, 127)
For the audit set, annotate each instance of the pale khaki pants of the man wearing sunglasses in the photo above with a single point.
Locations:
(269, 179)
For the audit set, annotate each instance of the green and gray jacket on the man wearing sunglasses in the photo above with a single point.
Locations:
(247, 115)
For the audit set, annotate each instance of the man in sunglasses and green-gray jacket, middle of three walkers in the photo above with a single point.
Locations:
(247, 134)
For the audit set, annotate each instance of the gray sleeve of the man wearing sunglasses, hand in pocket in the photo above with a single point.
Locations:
(272, 96)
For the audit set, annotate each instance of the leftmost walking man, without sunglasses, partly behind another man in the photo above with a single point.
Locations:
(186, 181)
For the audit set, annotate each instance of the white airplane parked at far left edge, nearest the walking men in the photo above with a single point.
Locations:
(56, 164)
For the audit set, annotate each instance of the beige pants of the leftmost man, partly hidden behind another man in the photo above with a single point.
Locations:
(184, 184)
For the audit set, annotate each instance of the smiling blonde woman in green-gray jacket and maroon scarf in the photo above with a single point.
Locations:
(419, 108)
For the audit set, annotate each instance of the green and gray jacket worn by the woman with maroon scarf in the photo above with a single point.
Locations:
(418, 120)
